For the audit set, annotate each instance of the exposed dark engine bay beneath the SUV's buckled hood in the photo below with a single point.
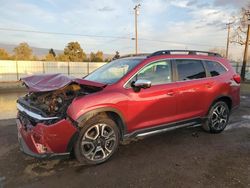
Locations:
(53, 103)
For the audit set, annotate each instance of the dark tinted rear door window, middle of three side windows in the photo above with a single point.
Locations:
(188, 69)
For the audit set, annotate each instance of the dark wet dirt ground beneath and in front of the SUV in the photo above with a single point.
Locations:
(183, 158)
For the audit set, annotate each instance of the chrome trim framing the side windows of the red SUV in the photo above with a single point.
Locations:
(201, 59)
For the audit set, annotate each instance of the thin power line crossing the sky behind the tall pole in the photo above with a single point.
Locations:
(105, 36)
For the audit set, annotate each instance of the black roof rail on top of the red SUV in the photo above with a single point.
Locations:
(189, 52)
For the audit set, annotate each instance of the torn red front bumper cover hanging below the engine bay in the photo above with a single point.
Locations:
(45, 141)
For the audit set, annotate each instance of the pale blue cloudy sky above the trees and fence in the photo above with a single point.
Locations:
(108, 25)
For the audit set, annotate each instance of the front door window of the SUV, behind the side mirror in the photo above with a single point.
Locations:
(157, 73)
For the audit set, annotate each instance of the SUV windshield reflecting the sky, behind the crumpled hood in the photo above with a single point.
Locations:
(113, 71)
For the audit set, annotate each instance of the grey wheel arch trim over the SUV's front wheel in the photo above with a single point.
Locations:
(110, 112)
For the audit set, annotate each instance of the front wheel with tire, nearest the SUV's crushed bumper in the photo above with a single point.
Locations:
(97, 142)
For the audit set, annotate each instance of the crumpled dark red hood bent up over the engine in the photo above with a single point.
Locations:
(50, 82)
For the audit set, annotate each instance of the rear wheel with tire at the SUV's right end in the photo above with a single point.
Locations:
(217, 118)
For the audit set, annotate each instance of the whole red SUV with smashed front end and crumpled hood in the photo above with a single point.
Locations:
(126, 98)
